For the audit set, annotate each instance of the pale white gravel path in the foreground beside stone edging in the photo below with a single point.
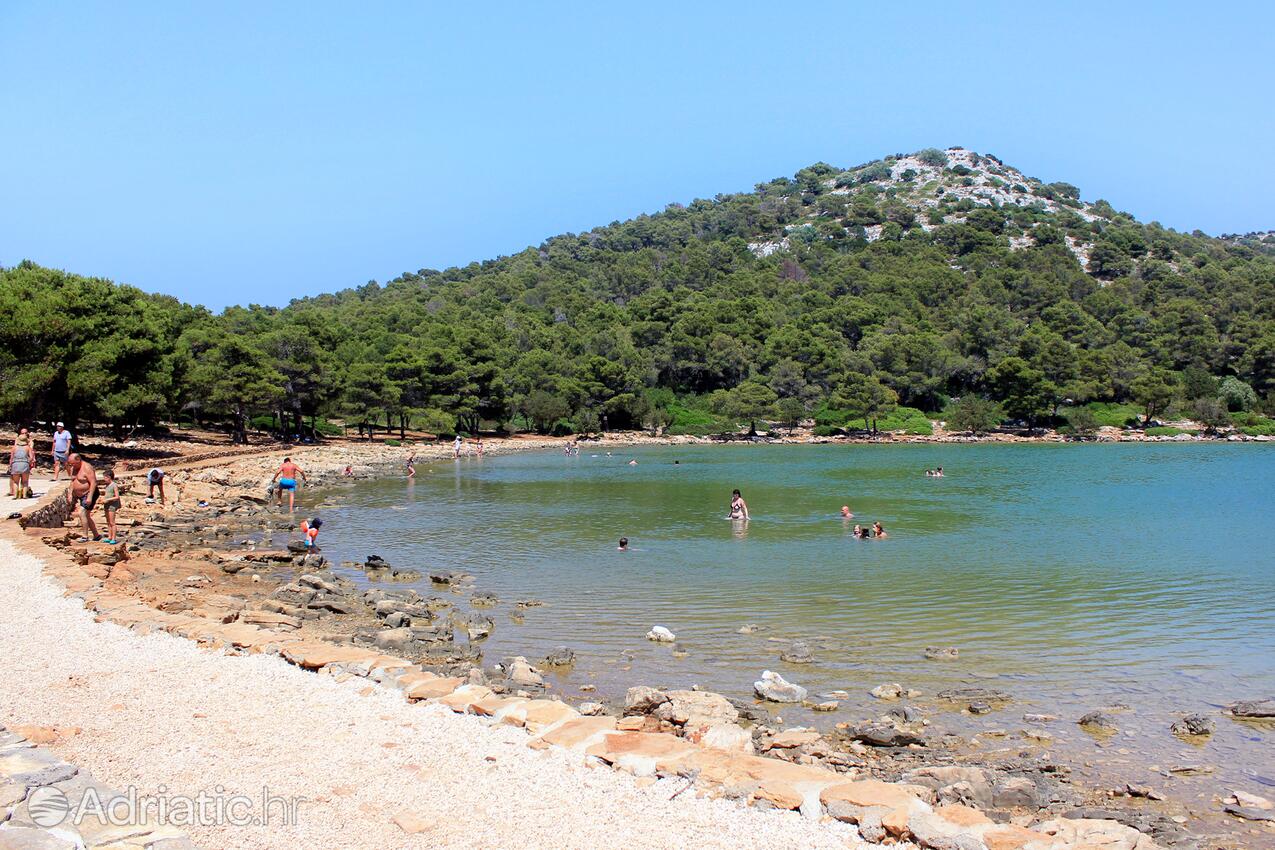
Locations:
(157, 712)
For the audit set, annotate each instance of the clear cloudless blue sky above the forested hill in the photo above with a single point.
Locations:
(257, 152)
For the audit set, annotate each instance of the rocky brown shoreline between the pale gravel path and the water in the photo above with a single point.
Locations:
(206, 568)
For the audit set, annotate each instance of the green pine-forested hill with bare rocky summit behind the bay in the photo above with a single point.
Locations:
(908, 281)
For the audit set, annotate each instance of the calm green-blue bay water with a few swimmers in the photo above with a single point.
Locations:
(1069, 577)
